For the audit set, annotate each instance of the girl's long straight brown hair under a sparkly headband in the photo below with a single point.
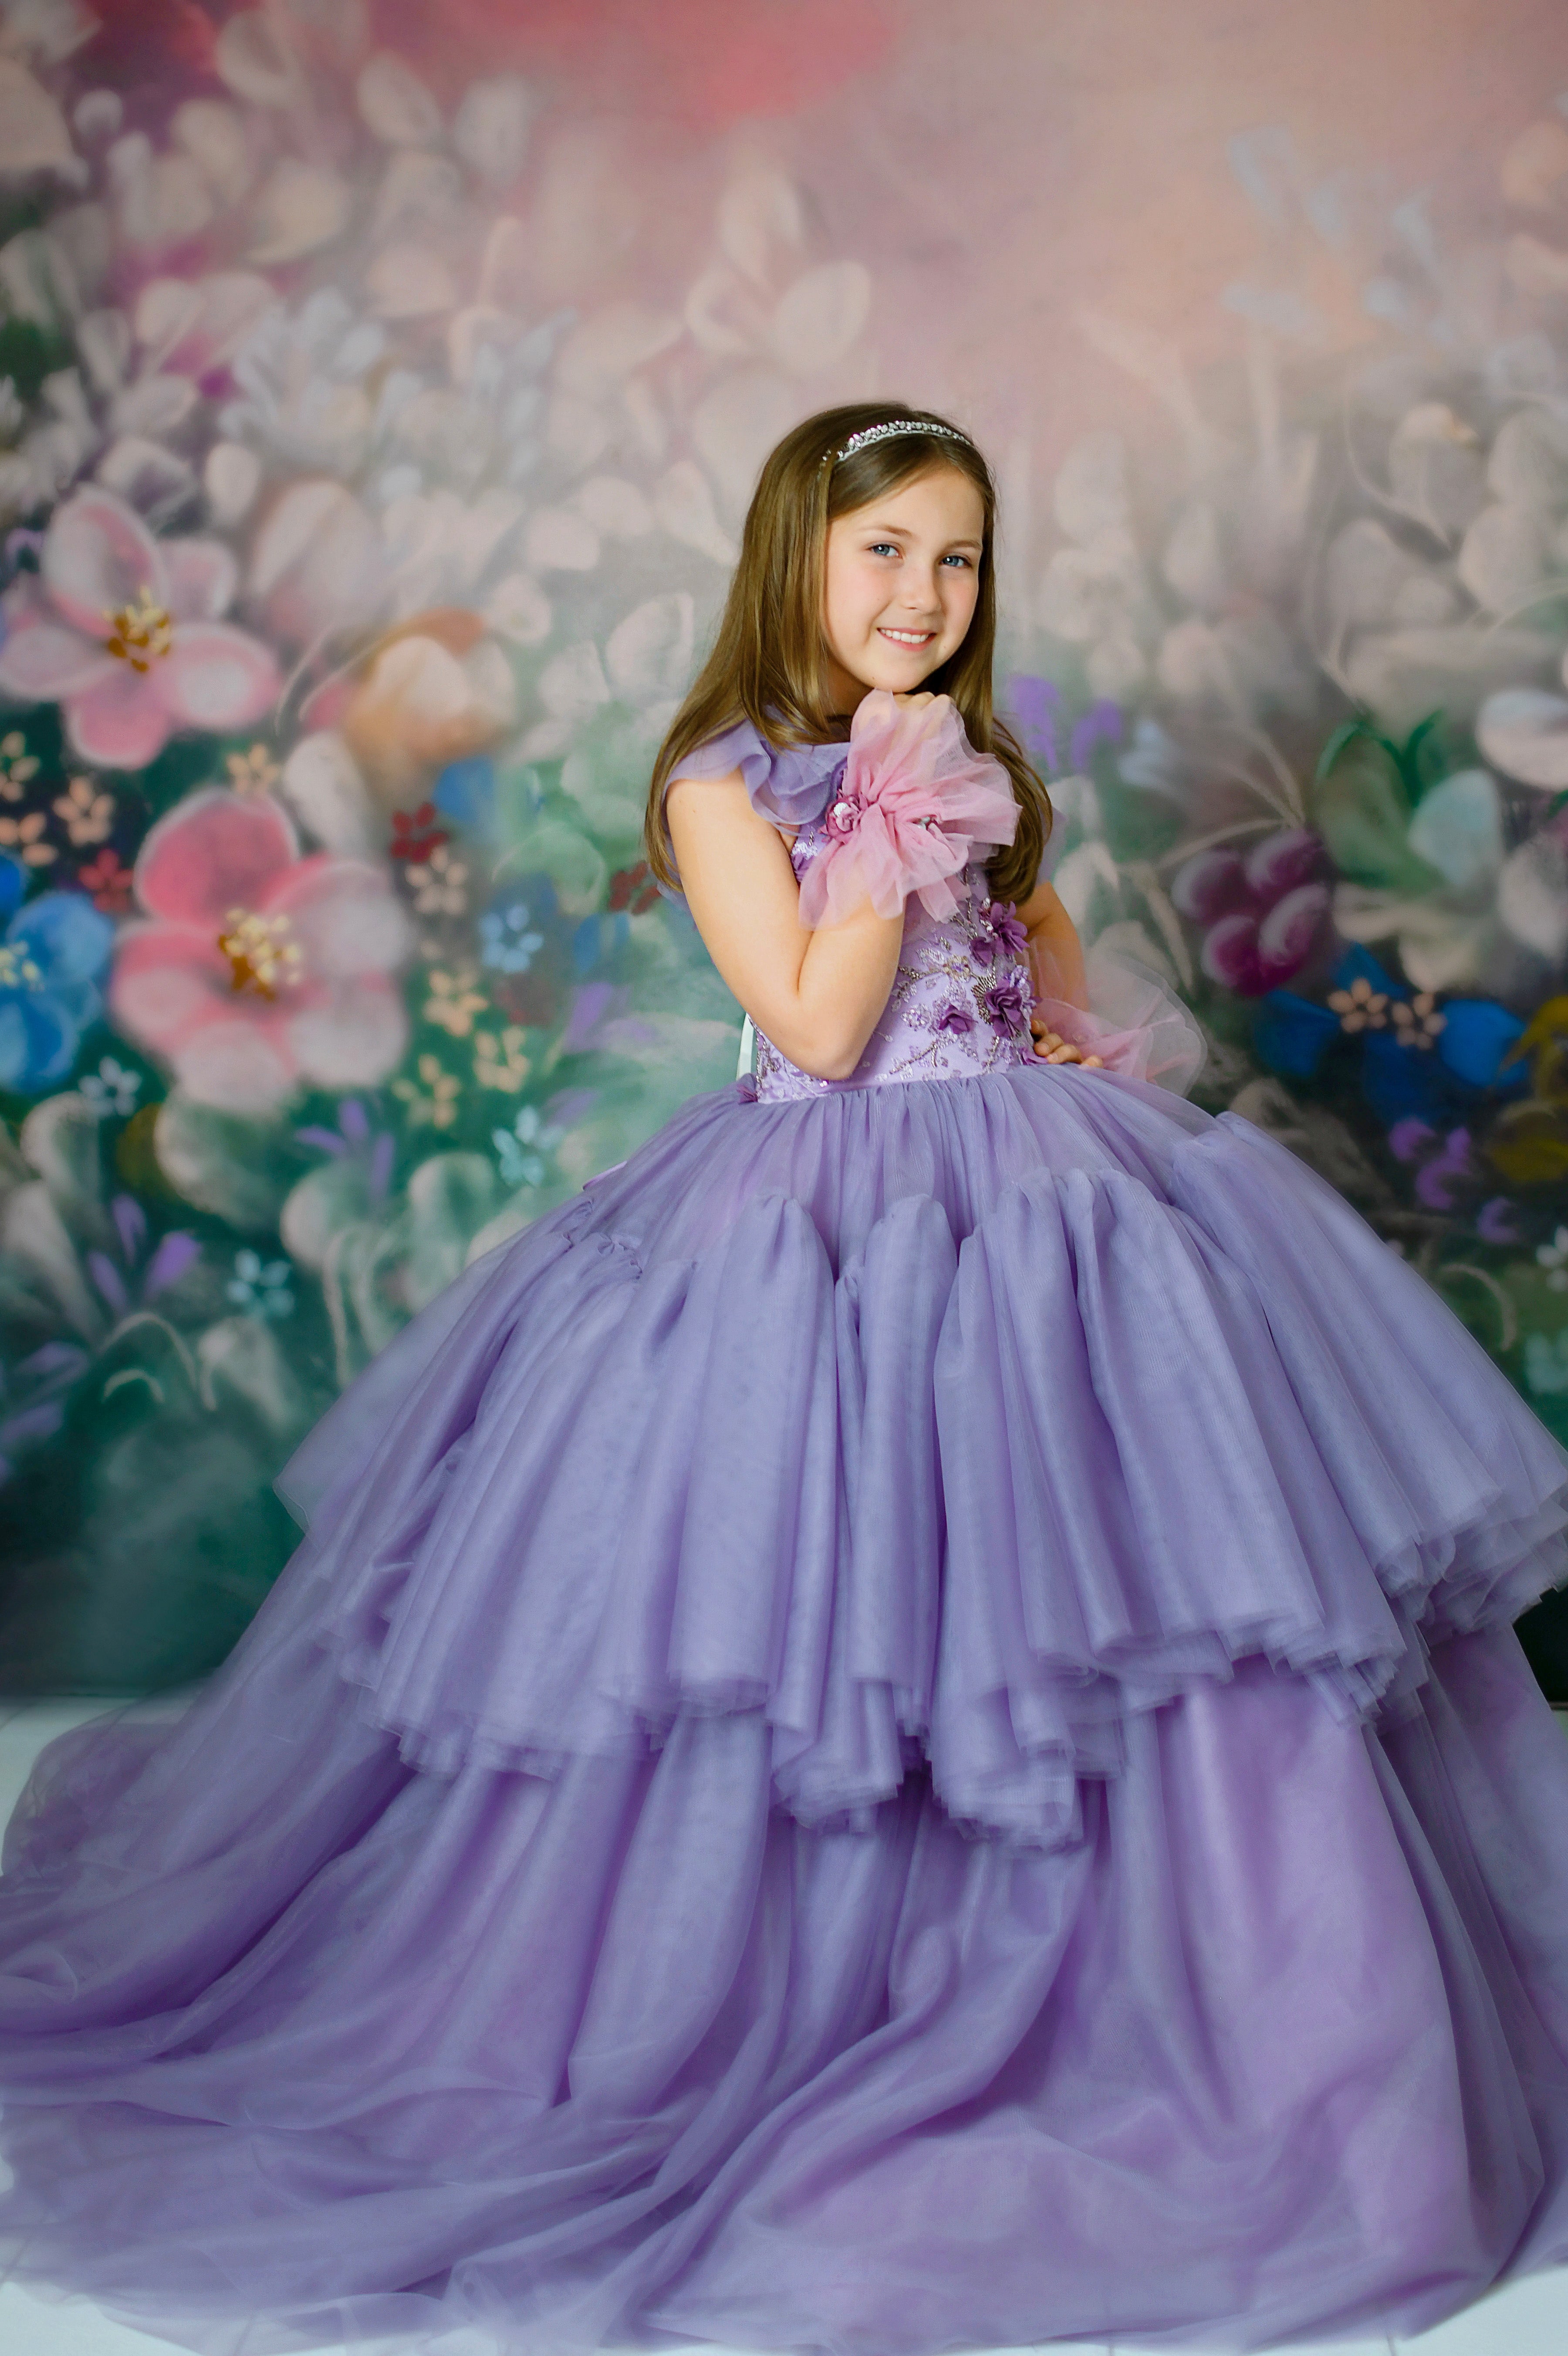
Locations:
(769, 661)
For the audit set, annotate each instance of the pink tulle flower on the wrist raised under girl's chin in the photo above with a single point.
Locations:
(910, 812)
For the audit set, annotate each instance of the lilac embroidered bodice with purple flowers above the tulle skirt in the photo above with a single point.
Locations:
(959, 1000)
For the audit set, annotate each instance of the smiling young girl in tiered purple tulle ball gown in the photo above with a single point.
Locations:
(896, 1730)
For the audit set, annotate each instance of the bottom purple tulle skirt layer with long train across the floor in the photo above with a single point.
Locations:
(307, 2049)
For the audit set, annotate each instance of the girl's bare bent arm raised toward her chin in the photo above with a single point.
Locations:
(818, 995)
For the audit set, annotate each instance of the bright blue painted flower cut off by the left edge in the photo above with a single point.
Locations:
(51, 965)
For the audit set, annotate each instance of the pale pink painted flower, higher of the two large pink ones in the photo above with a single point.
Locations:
(121, 630)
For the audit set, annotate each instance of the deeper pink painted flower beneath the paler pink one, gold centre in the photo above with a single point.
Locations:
(260, 969)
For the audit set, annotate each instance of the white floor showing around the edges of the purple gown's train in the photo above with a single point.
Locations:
(1527, 2319)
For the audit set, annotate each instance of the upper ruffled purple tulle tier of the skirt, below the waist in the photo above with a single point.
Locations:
(955, 1422)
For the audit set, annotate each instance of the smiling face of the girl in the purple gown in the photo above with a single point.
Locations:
(903, 578)
